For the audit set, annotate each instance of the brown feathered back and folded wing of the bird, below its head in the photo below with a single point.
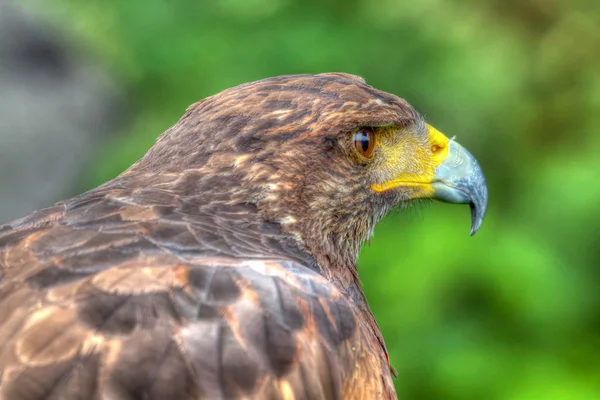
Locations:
(105, 295)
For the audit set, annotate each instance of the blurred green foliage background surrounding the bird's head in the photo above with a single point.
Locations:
(511, 313)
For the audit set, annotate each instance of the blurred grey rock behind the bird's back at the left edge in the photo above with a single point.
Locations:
(56, 108)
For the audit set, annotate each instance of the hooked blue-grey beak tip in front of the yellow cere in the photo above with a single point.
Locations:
(459, 179)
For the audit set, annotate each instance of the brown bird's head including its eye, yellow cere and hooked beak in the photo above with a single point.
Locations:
(324, 156)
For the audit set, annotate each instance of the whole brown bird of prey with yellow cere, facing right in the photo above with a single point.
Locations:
(222, 264)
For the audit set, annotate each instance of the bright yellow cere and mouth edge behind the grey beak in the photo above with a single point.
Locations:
(435, 155)
